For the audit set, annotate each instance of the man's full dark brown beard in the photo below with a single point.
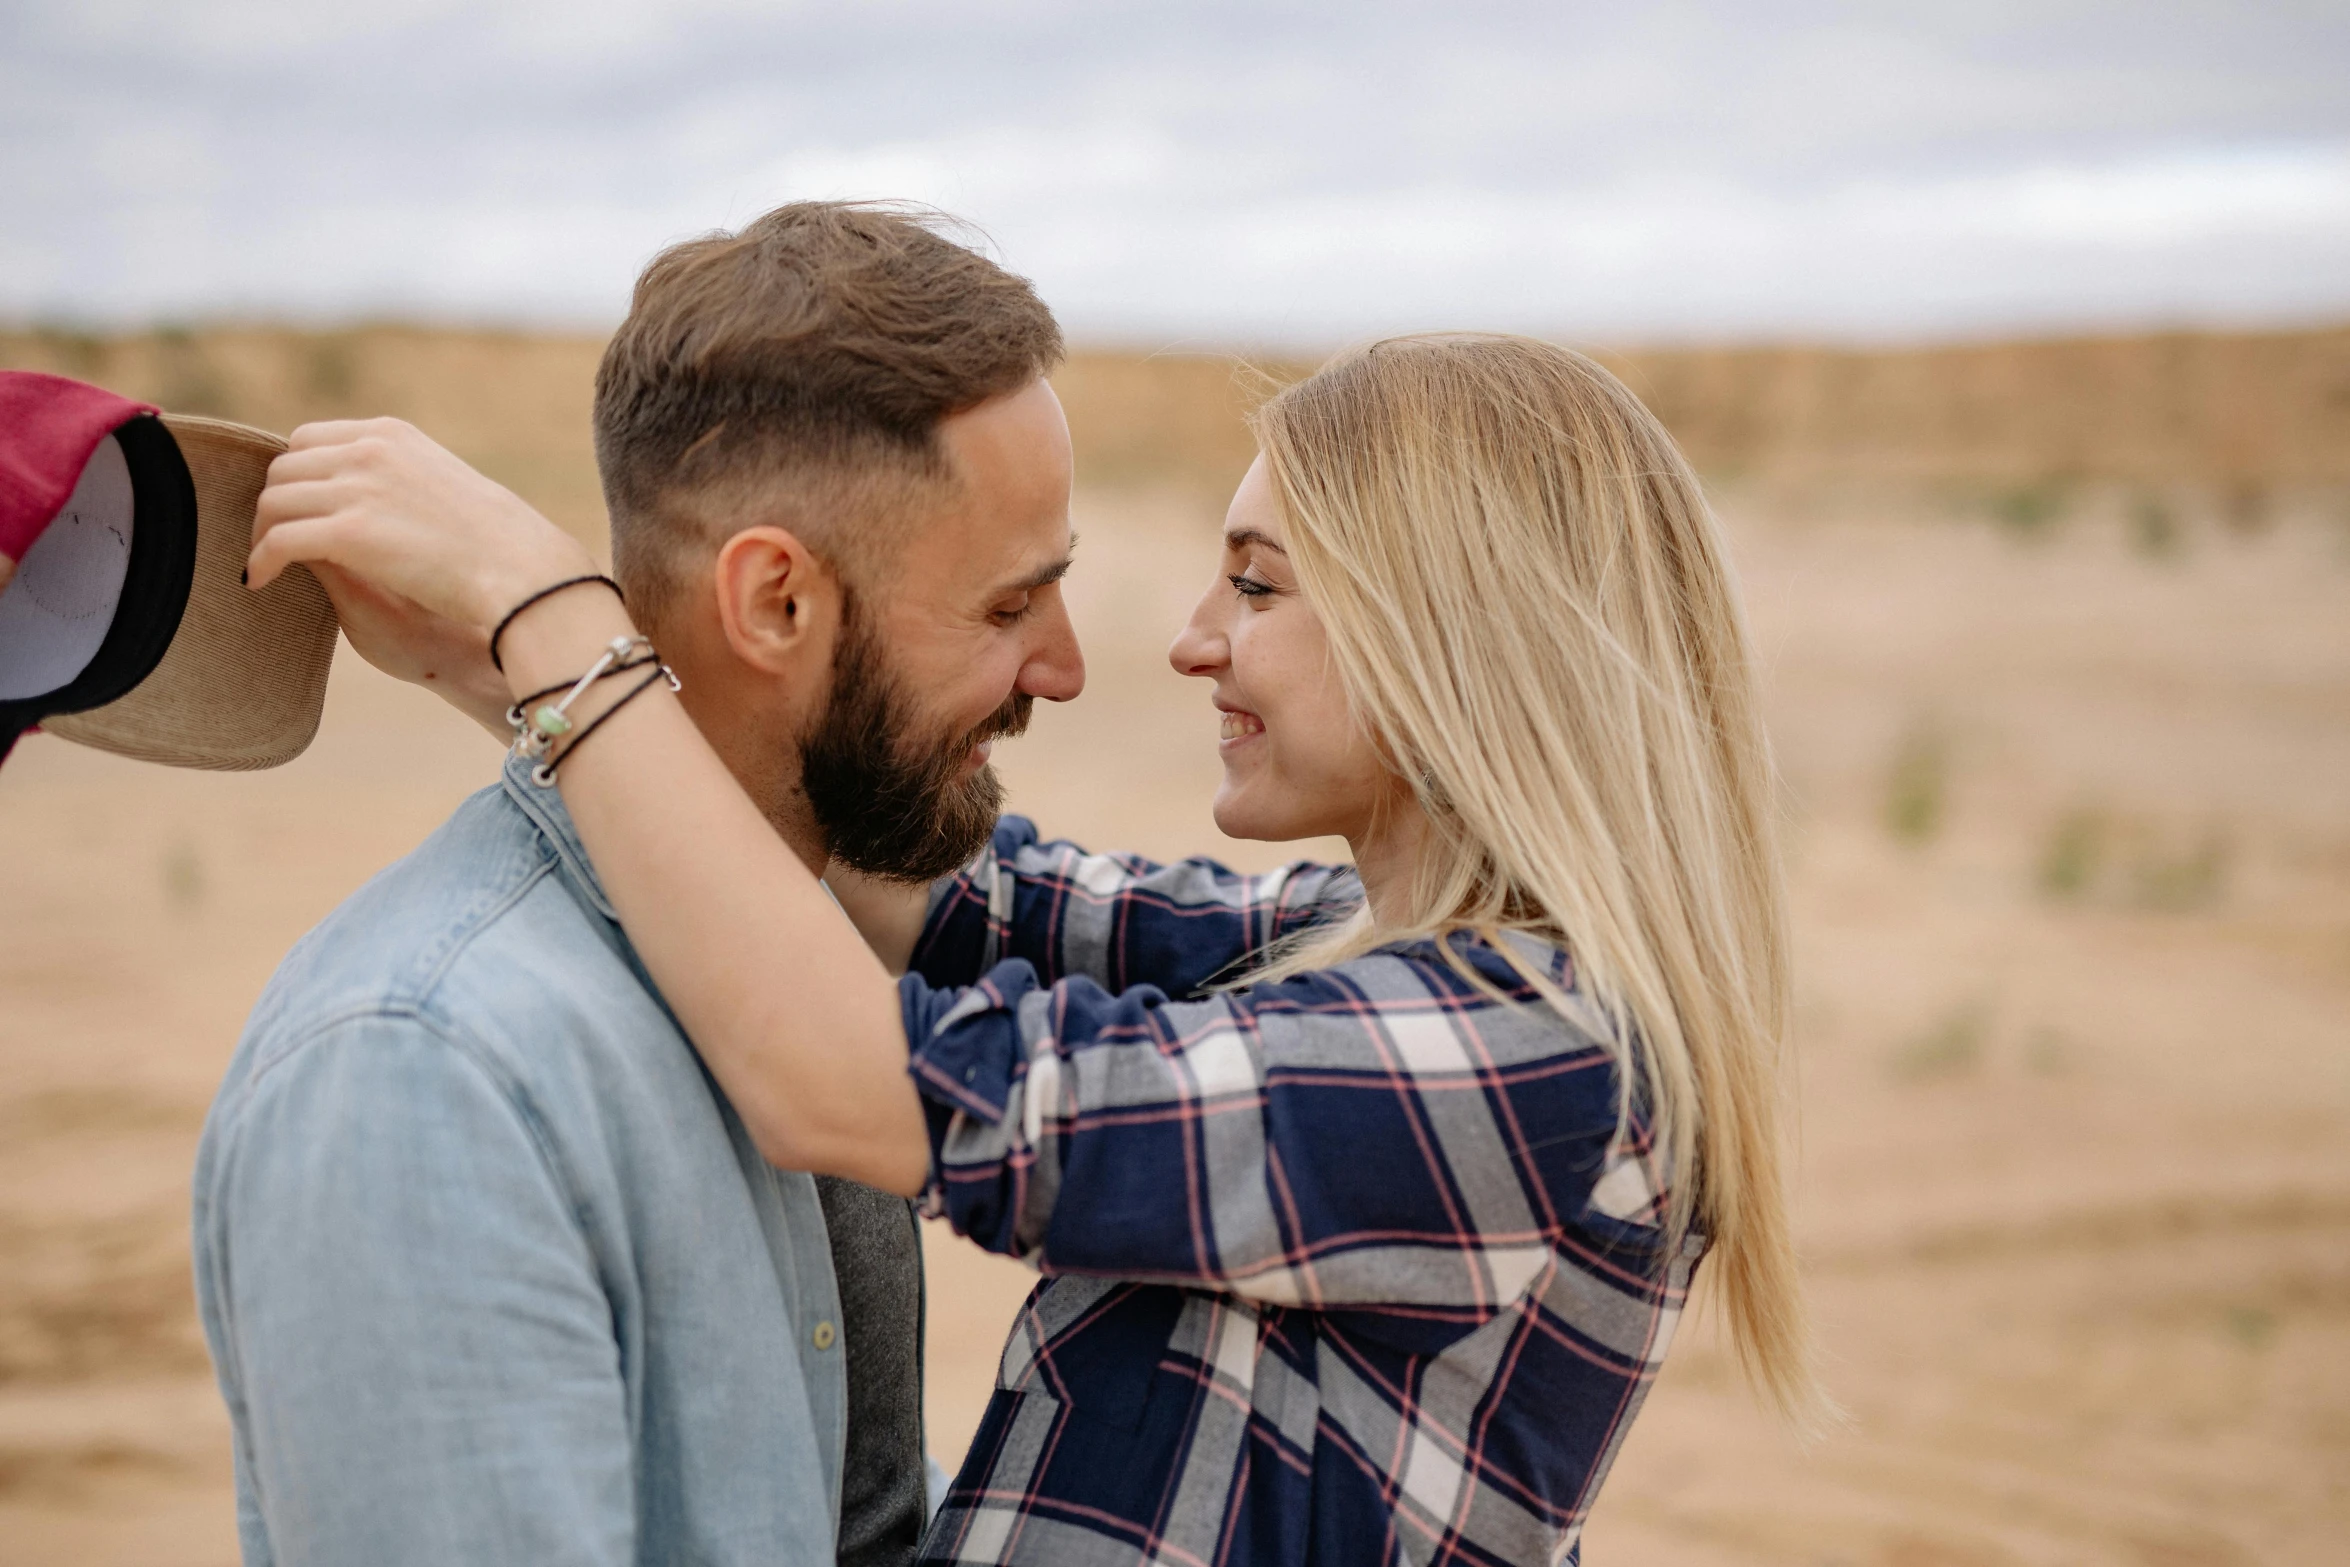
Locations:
(892, 802)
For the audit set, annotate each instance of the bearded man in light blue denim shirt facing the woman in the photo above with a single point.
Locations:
(488, 1263)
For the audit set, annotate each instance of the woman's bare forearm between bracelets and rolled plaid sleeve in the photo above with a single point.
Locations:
(786, 1004)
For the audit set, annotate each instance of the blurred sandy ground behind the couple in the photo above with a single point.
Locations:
(2069, 795)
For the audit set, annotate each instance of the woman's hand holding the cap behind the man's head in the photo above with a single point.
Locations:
(441, 546)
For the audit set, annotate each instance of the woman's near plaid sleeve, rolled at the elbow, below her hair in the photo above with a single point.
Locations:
(1371, 1136)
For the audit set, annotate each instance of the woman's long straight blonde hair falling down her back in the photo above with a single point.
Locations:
(1533, 614)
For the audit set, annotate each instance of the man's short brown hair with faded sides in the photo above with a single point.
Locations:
(798, 372)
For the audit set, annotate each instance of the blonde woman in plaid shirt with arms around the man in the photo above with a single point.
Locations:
(1374, 1249)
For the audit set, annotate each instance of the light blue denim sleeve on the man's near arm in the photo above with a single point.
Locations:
(410, 1317)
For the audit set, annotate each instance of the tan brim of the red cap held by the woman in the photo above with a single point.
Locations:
(246, 678)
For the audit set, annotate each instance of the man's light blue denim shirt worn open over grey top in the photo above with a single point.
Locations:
(488, 1263)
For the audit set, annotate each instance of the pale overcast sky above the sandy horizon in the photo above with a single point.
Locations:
(1200, 173)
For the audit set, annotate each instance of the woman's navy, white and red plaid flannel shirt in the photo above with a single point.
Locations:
(1352, 1267)
